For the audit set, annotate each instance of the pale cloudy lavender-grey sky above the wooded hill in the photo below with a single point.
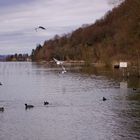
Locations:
(19, 18)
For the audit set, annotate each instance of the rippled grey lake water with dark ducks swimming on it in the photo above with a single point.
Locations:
(76, 110)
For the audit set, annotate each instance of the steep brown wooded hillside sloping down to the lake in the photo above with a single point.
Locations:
(115, 37)
